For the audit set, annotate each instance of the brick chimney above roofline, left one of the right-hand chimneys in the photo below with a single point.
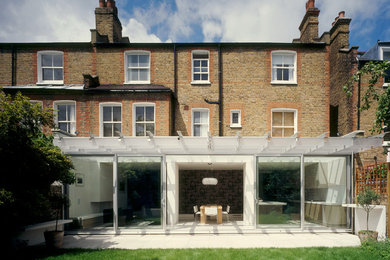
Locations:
(309, 24)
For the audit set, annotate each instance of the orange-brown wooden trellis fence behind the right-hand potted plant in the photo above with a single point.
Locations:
(377, 178)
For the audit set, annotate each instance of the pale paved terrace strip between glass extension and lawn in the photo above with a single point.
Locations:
(287, 240)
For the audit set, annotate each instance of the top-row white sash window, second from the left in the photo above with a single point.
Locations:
(137, 67)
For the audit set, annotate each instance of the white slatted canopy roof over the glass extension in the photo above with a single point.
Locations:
(226, 145)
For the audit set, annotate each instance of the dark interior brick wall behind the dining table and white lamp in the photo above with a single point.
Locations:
(228, 191)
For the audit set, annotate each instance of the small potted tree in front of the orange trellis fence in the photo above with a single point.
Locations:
(366, 199)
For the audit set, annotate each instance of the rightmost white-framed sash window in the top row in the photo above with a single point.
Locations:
(284, 67)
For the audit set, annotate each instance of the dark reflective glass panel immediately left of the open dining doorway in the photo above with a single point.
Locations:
(139, 192)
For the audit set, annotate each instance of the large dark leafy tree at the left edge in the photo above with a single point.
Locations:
(30, 163)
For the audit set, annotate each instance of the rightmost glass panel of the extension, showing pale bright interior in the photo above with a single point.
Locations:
(325, 191)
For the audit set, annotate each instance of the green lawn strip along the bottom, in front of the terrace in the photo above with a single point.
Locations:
(369, 251)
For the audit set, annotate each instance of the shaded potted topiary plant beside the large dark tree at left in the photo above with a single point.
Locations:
(55, 237)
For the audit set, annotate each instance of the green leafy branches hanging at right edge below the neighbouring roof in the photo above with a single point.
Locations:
(375, 70)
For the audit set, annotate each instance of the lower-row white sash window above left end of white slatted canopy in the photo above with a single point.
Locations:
(65, 115)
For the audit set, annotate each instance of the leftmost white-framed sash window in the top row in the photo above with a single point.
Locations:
(50, 67)
